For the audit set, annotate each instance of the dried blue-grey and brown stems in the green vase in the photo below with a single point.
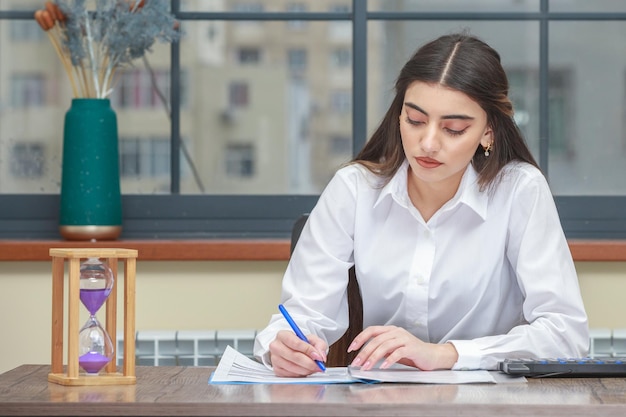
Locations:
(93, 44)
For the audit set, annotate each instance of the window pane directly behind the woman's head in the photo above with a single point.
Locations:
(397, 40)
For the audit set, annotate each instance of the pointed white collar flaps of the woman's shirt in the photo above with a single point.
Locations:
(469, 192)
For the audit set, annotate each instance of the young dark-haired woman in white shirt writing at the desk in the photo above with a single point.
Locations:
(452, 230)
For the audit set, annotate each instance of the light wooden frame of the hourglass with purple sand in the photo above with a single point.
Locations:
(109, 374)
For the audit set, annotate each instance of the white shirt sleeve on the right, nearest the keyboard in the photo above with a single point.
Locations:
(553, 311)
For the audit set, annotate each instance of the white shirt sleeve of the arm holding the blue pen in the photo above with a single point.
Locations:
(315, 281)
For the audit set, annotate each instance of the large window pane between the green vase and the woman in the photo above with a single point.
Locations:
(271, 123)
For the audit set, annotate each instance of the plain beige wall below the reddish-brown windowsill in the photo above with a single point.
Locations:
(214, 295)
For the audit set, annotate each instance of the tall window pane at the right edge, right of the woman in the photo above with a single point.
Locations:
(590, 160)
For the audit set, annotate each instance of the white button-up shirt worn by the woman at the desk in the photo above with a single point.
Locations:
(490, 272)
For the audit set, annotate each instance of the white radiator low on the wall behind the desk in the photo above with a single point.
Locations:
(205, 347)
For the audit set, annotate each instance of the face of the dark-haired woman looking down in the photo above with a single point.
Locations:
(441, 129)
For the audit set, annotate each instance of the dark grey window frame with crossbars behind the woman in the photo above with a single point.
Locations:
(178, 216)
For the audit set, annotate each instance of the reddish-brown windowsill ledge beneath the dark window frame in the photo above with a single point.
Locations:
(242, 250)
